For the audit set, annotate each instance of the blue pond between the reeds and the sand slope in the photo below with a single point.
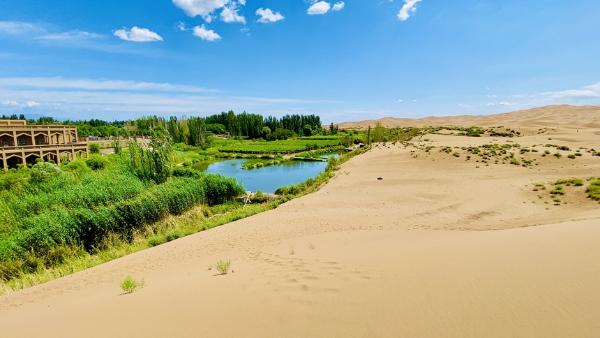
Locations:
(268, 179)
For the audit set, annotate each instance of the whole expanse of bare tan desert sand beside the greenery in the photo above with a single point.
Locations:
(440, 247)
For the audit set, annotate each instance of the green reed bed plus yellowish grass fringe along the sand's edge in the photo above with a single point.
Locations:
(93, 231)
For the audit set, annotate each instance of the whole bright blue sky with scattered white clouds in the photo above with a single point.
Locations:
(347, 60)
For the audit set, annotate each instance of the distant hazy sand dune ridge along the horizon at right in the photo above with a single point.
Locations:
(544, 117)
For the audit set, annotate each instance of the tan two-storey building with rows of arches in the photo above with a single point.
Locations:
(25, 144)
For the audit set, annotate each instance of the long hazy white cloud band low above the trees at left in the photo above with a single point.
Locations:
(112, 99)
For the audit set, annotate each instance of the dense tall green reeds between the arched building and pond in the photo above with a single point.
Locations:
(51, 213)
